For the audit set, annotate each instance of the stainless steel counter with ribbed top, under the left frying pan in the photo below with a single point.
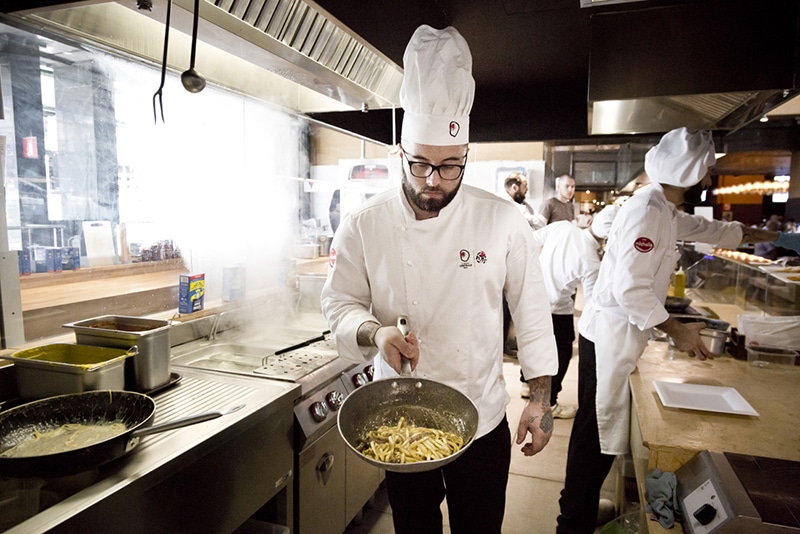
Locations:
(208, 477)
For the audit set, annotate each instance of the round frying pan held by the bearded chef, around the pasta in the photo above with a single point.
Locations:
(422, 402)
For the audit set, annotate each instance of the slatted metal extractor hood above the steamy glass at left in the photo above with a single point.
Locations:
(292, 39)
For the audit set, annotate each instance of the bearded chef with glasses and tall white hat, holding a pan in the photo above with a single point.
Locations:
(444, 254)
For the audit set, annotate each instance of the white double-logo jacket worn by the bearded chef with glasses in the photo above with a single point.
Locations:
(448, 275)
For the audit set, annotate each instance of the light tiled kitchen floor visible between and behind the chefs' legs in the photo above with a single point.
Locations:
(534, 484)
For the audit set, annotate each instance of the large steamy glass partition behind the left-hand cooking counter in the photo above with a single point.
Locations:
(101, 196)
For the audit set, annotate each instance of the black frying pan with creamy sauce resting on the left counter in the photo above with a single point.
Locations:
(135, 410)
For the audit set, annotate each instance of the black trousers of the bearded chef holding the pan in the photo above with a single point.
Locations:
(474, 483)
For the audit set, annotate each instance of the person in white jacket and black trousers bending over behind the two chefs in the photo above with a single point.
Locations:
(570, 256)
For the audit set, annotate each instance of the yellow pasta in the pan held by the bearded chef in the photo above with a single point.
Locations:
(405, 443)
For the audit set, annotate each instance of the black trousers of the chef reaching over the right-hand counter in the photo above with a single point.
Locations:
(587, 467)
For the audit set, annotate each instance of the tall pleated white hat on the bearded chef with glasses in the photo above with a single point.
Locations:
(437, 88)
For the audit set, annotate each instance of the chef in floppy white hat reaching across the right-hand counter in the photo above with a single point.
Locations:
(628, 301)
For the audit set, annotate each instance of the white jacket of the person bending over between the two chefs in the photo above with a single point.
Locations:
(569, 257)
